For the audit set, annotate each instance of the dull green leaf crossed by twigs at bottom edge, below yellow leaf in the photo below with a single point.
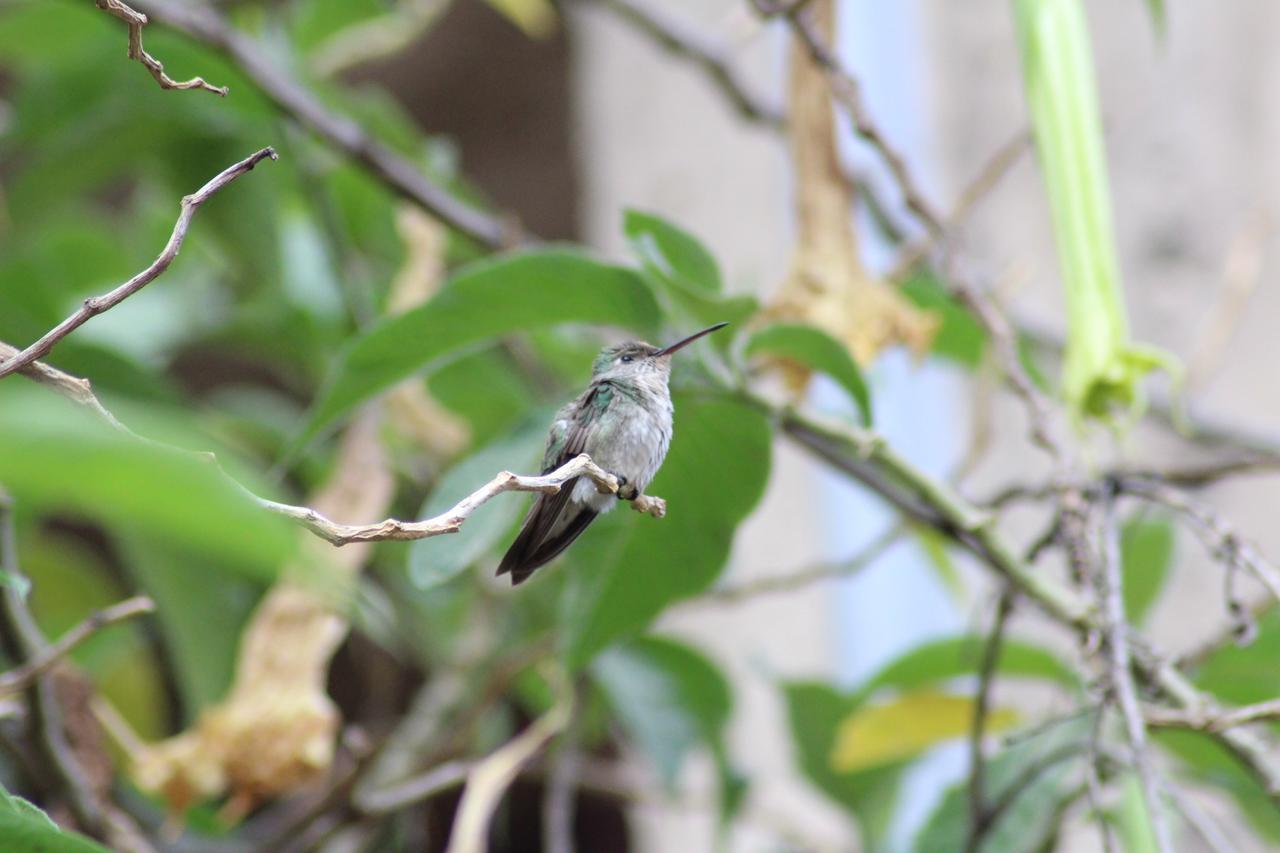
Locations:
(1032, 820)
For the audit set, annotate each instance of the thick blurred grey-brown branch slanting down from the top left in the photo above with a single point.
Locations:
(406, 179)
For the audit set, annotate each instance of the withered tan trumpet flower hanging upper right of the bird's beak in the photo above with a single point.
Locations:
(829, 286)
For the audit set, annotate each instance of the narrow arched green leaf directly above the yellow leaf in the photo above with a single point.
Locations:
(943, 660)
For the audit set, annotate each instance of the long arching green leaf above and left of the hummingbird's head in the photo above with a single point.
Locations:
(499, 297)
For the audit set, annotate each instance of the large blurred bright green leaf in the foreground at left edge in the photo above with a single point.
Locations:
(58, 457)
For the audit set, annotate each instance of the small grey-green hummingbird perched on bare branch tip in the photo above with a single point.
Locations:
(623, 422)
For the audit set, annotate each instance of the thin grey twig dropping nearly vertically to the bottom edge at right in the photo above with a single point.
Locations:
(1119, 673)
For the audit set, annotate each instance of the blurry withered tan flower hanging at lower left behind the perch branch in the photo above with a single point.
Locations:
(277, 728)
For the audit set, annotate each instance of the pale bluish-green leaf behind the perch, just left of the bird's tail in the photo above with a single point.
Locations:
(440, 559)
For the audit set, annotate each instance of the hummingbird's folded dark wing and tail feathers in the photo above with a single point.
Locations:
(540, 541)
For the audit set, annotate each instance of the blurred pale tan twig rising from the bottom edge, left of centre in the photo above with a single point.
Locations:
(491, 778)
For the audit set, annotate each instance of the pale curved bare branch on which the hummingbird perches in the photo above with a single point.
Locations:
(451, 521)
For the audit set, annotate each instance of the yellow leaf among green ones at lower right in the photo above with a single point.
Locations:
(908, 726)
